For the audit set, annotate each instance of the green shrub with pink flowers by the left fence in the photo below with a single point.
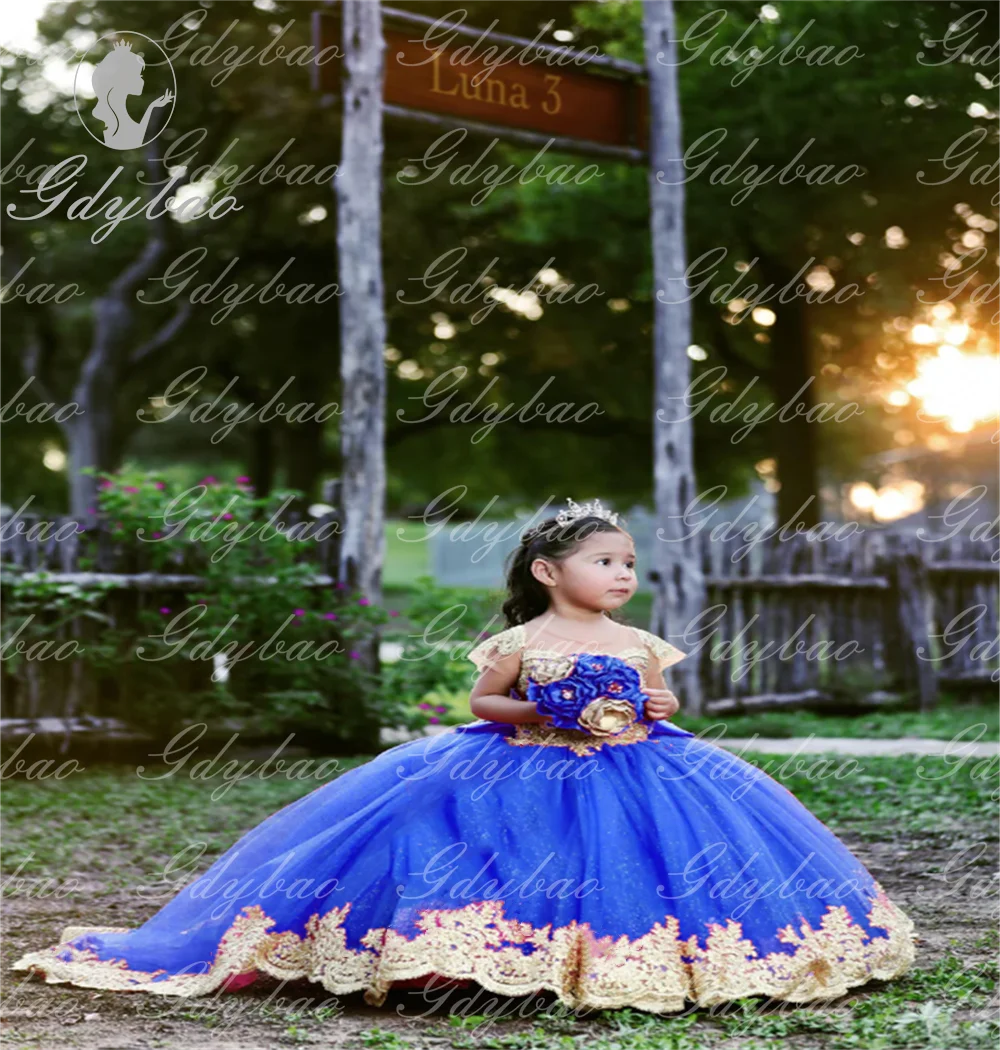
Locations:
(256, 639)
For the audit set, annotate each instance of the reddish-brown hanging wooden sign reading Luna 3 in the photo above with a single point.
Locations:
(561, 99)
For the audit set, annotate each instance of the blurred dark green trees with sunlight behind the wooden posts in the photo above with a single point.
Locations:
(888, 233)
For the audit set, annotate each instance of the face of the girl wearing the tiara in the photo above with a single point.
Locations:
(599, 575)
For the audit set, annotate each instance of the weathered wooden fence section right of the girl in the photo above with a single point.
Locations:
(866, 619)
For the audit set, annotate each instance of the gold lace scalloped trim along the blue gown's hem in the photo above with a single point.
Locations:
(657, 972)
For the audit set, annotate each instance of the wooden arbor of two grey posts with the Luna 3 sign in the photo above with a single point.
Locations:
(514, 90)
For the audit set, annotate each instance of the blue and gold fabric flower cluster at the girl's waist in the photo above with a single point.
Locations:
(603, 697)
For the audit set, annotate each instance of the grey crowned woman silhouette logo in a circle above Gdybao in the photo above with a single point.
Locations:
(116, 77)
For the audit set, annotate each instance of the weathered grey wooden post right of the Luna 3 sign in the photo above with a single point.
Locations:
(680, 585)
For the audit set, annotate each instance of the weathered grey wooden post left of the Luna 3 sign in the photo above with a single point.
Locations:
(363, 317)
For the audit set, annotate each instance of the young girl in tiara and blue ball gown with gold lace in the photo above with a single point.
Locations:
(571, 841)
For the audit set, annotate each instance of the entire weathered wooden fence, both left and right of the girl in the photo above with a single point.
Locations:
(850, 622)
